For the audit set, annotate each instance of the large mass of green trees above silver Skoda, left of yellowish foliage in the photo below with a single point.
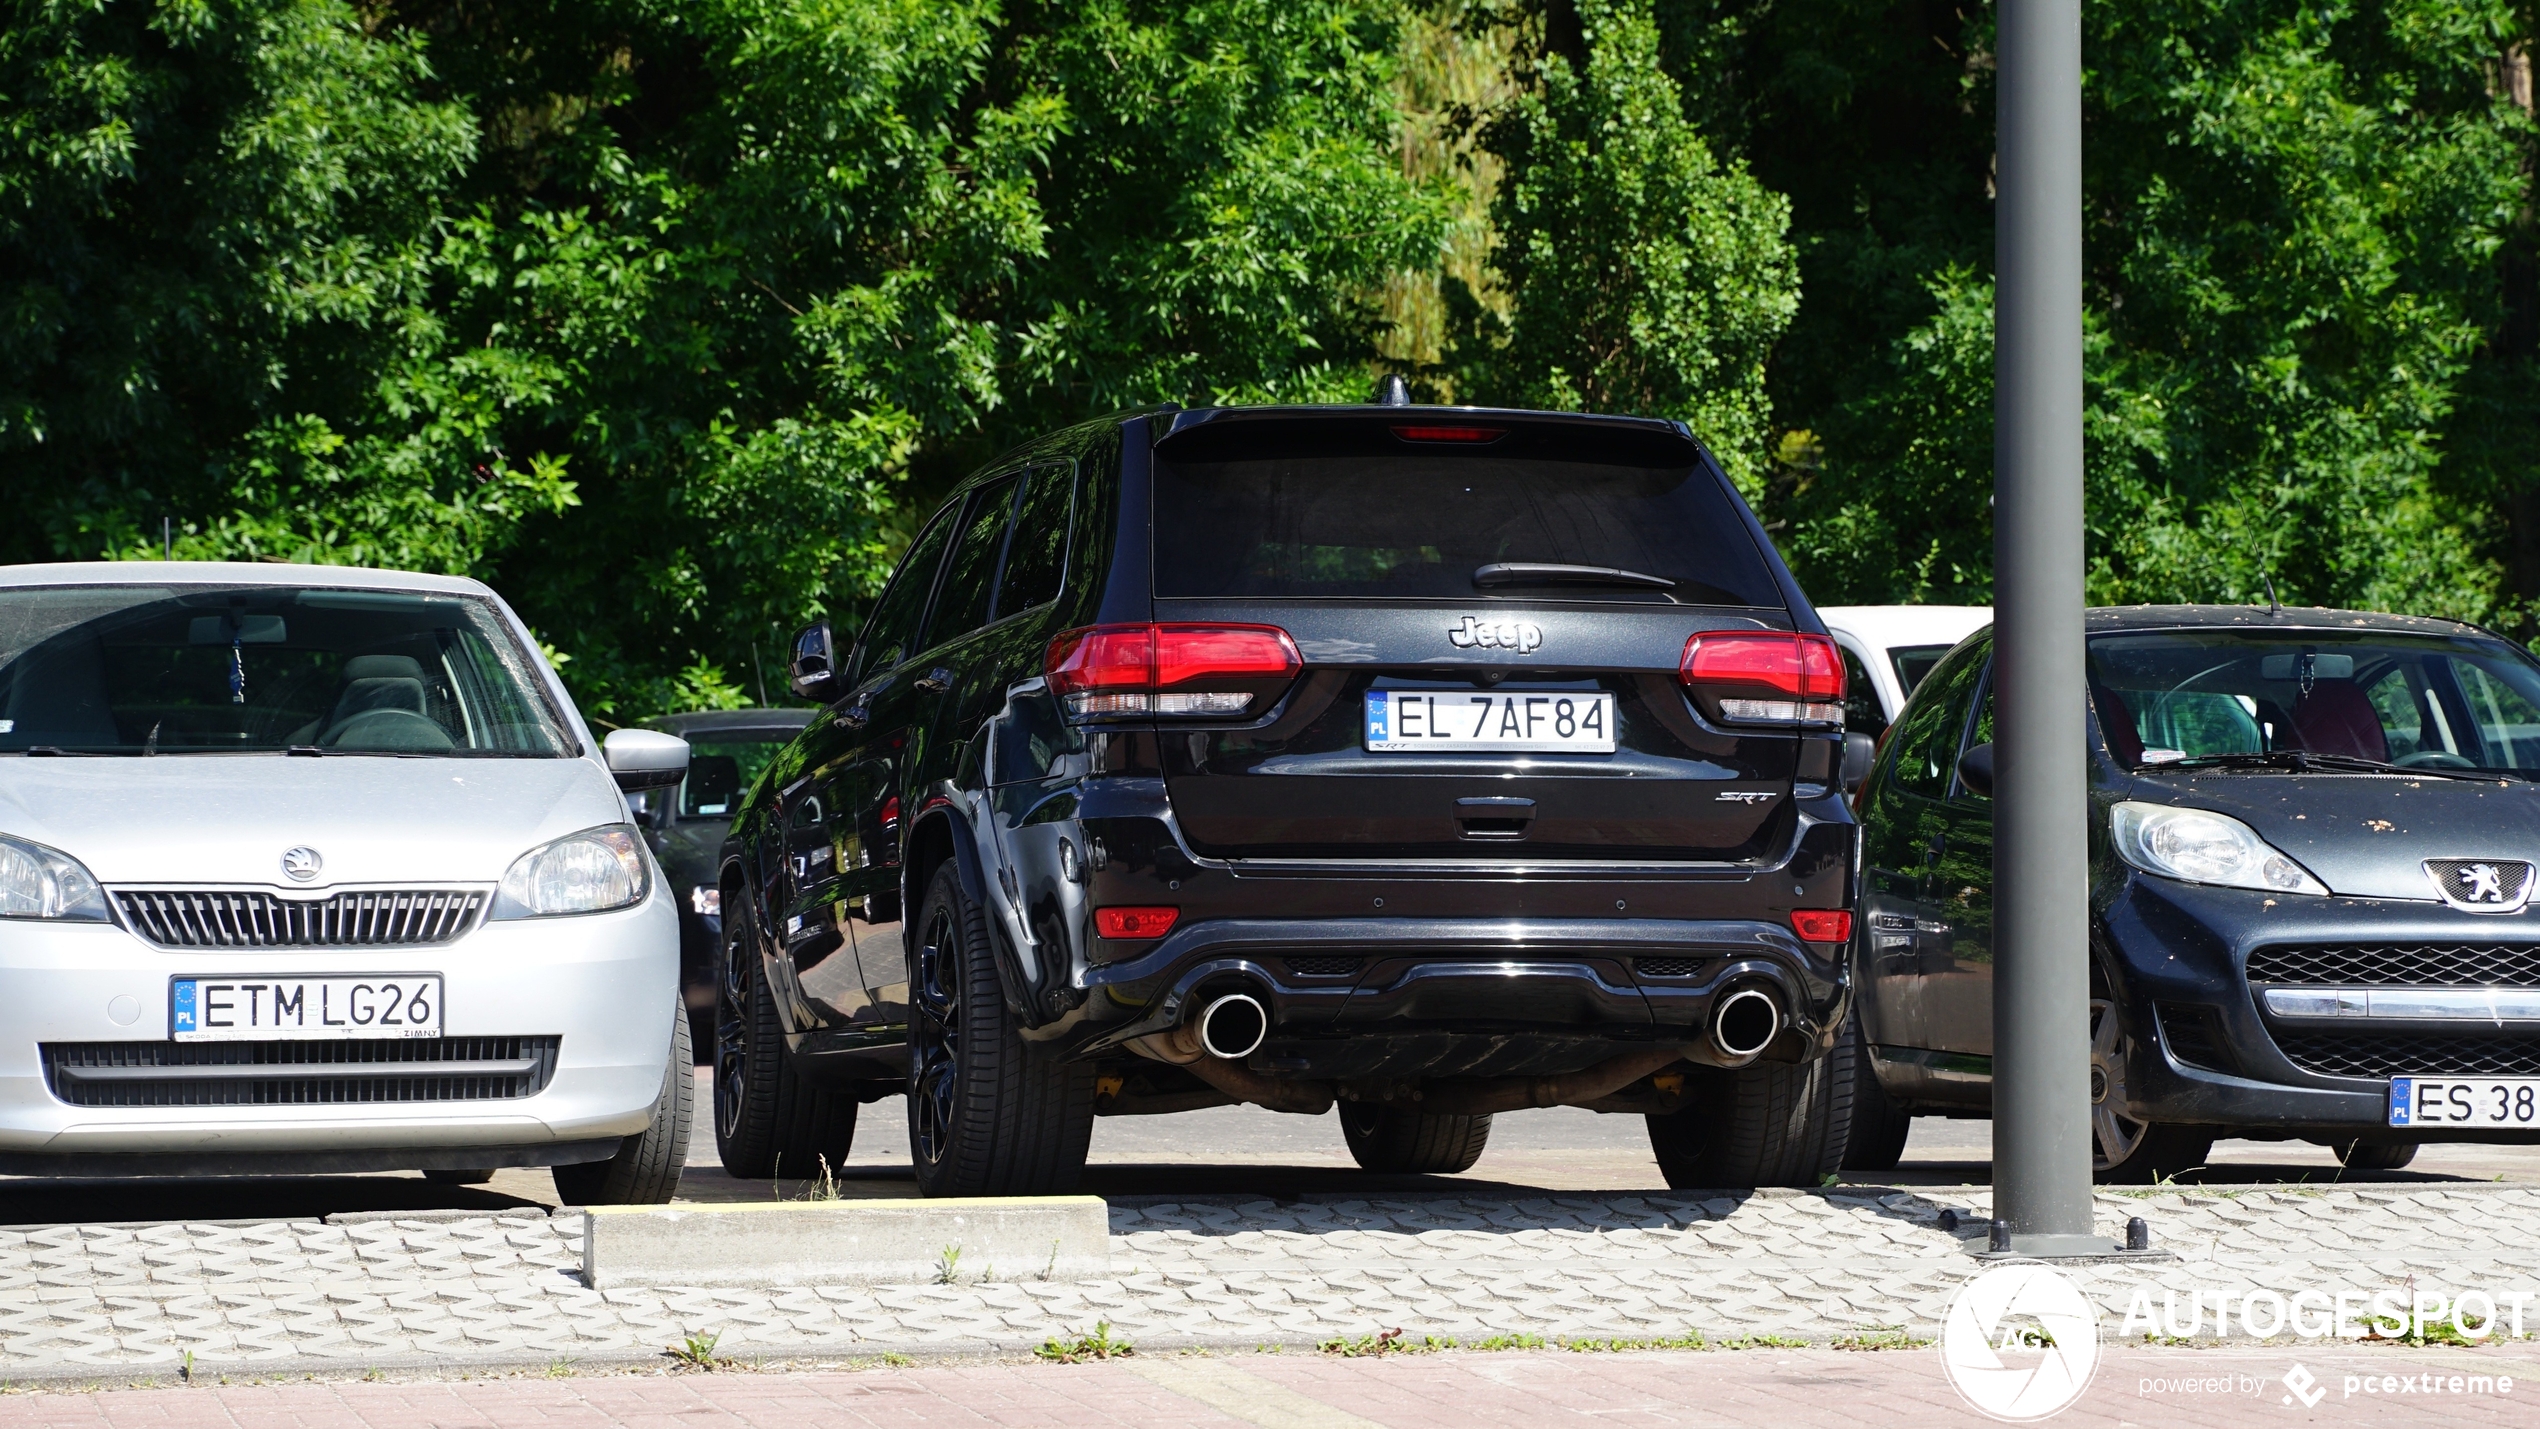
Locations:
(664, 319)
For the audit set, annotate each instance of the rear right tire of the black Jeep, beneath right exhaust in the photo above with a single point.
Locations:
(1767, 1123)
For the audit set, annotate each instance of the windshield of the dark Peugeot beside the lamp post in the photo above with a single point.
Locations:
(2414, 702)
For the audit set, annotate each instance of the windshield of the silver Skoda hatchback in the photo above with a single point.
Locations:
(265, 671)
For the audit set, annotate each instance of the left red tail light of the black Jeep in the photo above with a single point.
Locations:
(1170, 669)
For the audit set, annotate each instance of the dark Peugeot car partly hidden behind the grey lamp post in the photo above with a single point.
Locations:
(2313, 841)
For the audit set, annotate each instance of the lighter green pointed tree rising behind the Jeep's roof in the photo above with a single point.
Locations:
(1642, 273)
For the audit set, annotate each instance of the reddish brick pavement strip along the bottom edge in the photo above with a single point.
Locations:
(1787, 1390)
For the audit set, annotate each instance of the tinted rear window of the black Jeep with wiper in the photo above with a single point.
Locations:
(1416, 527)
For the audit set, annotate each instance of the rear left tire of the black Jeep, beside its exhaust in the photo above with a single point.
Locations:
(989, 1113)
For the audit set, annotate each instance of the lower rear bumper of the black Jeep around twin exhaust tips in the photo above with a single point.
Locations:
(1464, 996)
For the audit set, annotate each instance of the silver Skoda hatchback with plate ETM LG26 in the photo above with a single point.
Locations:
(314, 869)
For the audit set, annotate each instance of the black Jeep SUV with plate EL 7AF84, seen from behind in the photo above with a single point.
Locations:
(1429, 763)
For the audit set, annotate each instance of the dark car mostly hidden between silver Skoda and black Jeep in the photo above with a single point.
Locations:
(687, 831)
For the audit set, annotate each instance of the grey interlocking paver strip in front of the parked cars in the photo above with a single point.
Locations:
(1820, 1268)
